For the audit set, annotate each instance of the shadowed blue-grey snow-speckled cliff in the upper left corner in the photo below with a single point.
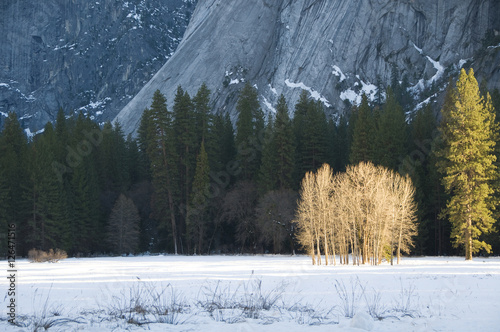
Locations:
(92, 56)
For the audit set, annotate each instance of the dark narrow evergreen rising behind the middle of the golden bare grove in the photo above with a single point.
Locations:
(362, 146)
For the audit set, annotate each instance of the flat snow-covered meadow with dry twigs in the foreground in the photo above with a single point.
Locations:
(255, 293)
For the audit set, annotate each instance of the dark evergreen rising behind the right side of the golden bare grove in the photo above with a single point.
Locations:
(391, 136)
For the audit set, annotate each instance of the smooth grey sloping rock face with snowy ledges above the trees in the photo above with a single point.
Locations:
(334, 49)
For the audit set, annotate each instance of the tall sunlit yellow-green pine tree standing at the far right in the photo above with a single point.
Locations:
(468, 131)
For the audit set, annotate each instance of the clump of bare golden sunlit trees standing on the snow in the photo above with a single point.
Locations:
(368, 211)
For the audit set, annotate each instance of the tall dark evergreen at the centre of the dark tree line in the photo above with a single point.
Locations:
(249, 132)
